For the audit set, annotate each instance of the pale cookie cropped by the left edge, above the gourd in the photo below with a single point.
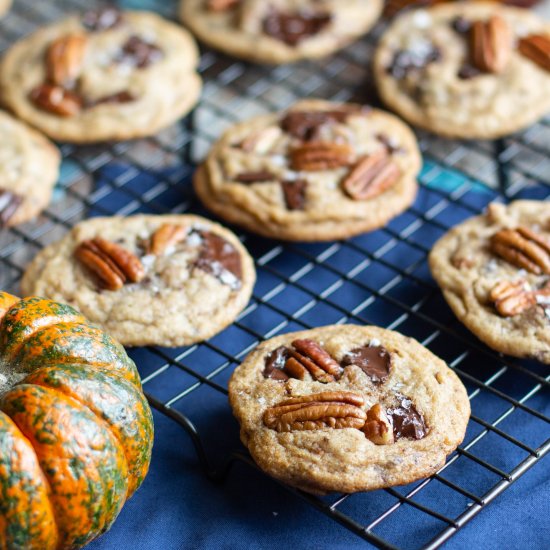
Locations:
(29, 168)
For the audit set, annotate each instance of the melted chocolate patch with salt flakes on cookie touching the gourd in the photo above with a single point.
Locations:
(219, 258)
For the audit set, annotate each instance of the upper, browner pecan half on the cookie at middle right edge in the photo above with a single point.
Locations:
(523, 248)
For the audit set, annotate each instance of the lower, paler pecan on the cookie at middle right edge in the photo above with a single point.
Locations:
(512, 298)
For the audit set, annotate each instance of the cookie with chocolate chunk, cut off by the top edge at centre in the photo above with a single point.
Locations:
(279, 31)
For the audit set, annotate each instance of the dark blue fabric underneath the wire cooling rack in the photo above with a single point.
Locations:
(178, 507)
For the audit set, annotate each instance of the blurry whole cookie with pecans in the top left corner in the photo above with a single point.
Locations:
(105, 75)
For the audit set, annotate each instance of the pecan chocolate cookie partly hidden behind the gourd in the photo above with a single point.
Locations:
(168, 280)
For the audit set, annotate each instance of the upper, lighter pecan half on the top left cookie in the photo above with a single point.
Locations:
(64, 59)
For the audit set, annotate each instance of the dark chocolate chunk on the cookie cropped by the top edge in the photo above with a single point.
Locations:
(292, 28)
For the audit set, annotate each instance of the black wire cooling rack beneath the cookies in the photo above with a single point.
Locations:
(380, 278)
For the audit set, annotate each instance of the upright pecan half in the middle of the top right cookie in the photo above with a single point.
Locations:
(491, 43)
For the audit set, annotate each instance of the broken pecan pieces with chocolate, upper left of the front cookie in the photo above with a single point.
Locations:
(306, 358)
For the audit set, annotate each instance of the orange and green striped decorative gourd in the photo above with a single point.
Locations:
(76, 431)
